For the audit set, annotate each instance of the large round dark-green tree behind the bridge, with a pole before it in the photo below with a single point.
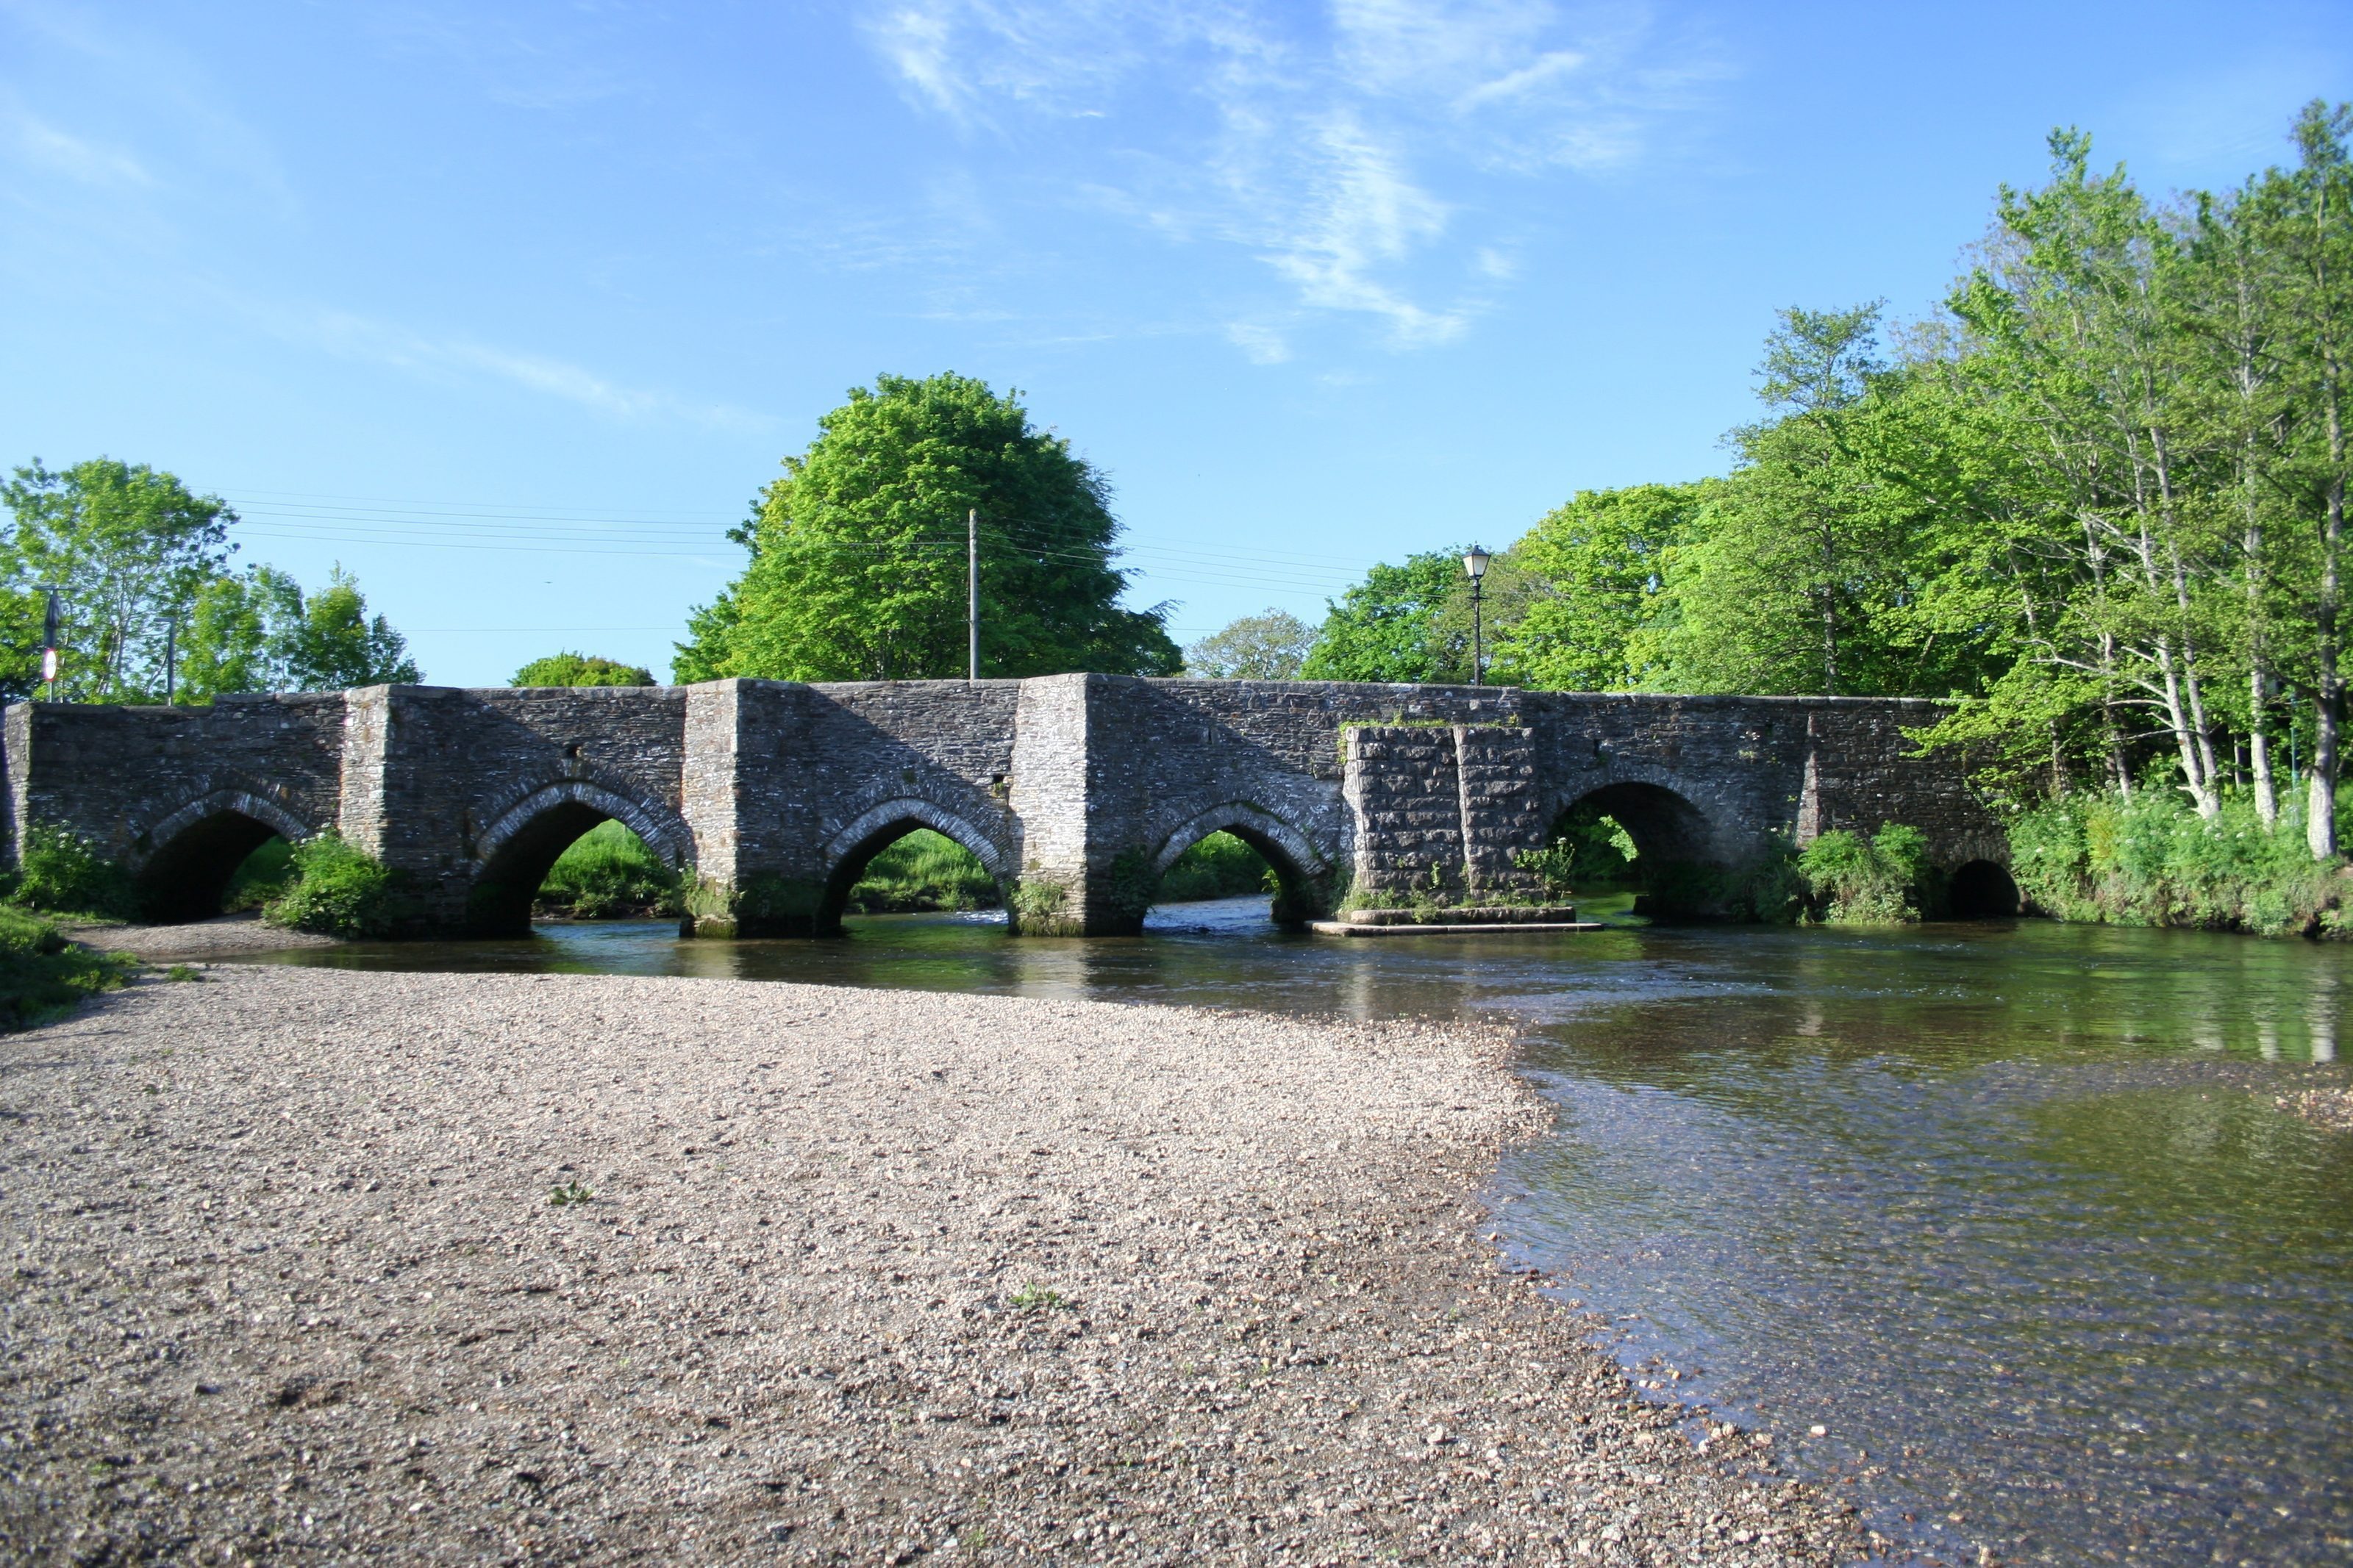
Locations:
(858, 554)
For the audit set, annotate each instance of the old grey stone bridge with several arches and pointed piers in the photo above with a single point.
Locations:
(1074, 791)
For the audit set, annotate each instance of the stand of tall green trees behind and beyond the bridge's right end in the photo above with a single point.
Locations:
(2098, 500)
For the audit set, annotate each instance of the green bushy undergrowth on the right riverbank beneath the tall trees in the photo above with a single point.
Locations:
(2154, 862)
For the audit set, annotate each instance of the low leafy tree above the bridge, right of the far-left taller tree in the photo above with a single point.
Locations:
(262, 634)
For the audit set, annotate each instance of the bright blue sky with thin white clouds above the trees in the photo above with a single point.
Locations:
(512, 309)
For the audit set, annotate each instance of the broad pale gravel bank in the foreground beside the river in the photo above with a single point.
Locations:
(855, 1278)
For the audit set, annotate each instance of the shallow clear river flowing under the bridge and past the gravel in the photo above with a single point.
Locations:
(2006, 1209)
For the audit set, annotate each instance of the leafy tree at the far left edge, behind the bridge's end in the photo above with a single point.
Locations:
(128, 549)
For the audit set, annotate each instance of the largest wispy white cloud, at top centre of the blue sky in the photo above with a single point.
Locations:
(1352, 159)
